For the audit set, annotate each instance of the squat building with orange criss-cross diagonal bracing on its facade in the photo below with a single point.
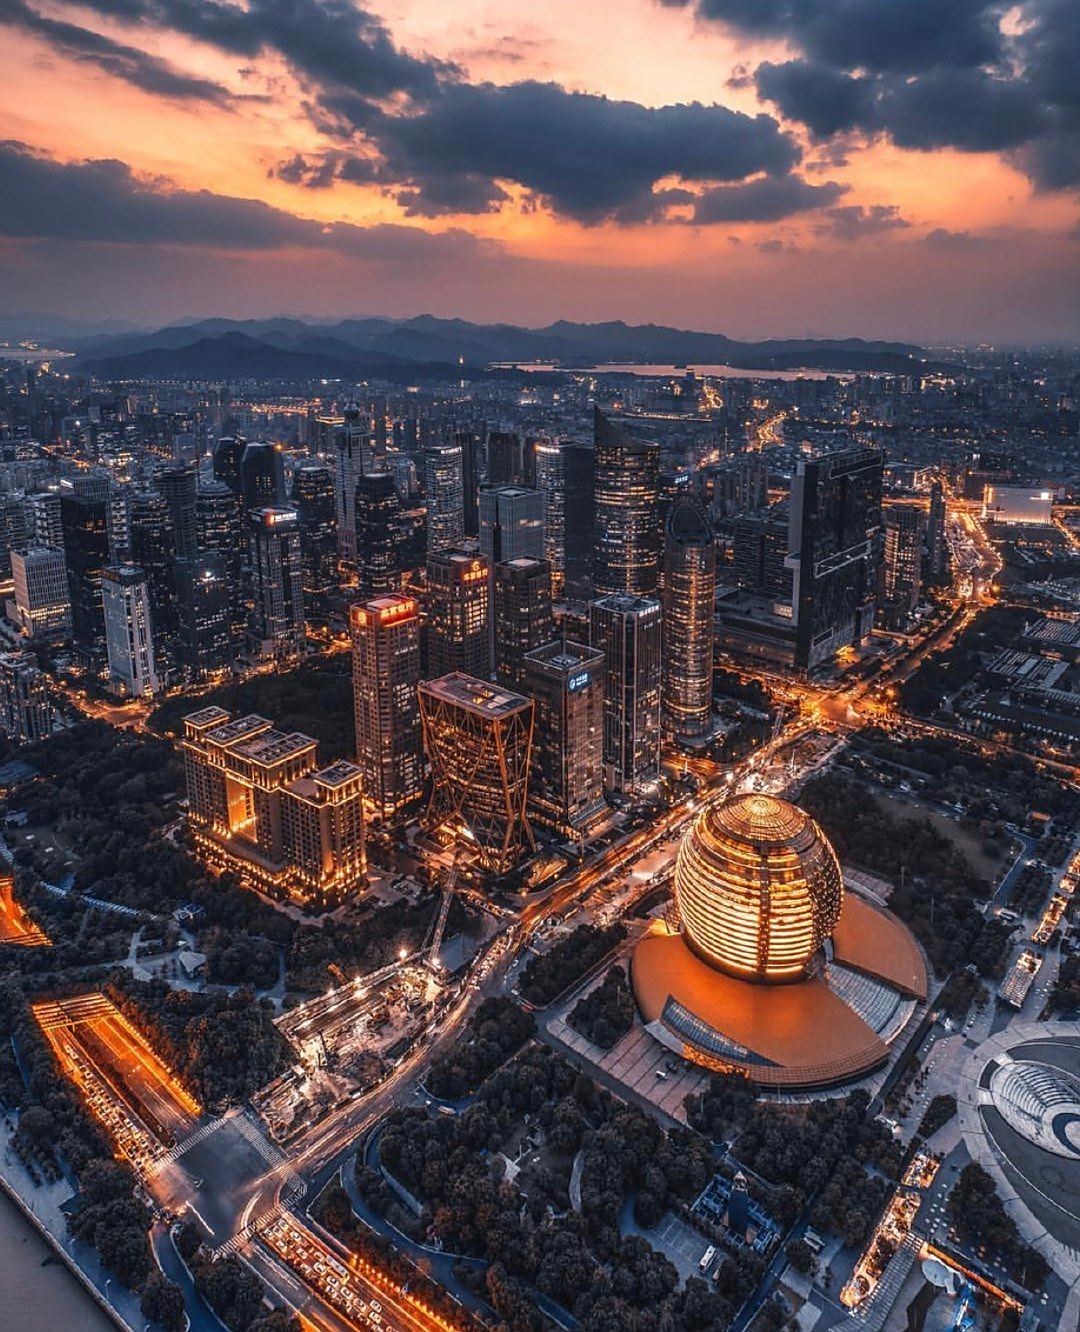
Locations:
(479, 740)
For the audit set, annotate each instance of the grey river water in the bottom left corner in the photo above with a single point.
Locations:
(43, 1299)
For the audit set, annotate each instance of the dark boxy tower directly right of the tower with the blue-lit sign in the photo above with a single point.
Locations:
(628, 632)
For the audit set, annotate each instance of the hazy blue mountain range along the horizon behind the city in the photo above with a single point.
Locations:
(291, 348)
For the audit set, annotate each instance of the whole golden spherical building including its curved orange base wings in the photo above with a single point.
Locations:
(774, 972)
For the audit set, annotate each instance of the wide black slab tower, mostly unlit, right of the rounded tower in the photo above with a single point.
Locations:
(834, 549)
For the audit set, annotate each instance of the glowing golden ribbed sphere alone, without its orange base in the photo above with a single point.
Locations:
(758, 889)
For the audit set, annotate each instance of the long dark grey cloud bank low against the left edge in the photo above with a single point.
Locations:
(105, 202)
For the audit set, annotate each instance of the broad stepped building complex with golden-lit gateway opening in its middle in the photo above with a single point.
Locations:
(259, 807)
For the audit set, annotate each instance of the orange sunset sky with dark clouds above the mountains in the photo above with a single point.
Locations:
(884, 168)
